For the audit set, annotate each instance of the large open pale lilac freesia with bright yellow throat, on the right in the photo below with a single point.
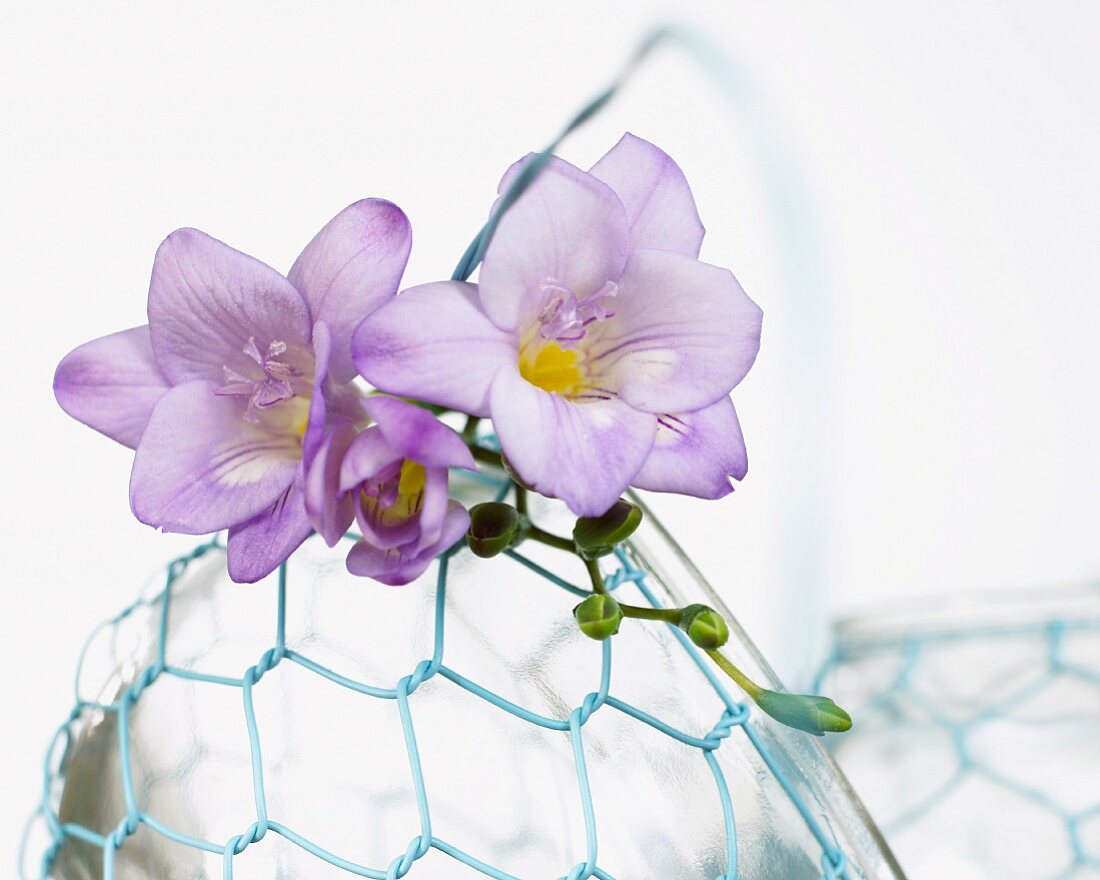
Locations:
(601, 347)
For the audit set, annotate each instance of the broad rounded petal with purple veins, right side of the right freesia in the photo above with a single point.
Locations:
(685, 334)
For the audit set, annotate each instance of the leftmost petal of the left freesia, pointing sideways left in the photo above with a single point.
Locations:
(112, 384)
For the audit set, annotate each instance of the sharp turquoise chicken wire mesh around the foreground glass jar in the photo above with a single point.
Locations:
(735, 718)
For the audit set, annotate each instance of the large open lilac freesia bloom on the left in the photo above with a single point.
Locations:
(232, 384)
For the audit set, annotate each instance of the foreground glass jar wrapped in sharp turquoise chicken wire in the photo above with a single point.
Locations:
(329, 728)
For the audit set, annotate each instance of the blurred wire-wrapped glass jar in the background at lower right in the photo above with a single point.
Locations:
(977, 735)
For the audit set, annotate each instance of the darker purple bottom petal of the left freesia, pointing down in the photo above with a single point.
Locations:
(263, 544)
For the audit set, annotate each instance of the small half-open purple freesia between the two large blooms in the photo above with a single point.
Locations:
(392, 480)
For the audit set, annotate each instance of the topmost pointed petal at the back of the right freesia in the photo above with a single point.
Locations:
(659, 205)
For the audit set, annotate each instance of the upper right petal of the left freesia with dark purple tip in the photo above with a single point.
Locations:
(351, 268)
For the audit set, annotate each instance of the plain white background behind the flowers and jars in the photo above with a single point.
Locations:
(925, 408)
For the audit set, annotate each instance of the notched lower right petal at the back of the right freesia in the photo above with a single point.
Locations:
(696, 454)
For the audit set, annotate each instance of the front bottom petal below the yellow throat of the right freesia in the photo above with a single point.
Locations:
(585, 454)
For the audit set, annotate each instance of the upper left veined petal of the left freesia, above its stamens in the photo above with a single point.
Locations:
(206, 301)
